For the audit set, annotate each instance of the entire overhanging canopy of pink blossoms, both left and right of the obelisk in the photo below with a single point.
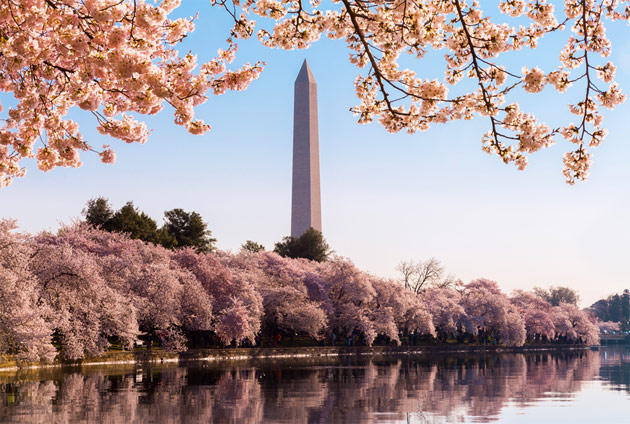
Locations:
(115, 59)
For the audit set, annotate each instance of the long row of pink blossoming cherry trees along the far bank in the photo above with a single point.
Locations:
(83, 288)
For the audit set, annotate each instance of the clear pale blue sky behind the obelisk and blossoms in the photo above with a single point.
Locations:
(385, 198)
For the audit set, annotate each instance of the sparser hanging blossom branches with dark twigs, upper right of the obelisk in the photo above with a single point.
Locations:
(379, 32)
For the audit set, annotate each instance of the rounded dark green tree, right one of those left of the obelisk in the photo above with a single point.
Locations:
(188, 229)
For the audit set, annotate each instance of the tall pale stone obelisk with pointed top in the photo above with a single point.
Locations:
(306, 209)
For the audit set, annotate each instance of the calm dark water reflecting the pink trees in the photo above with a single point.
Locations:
(562, 387)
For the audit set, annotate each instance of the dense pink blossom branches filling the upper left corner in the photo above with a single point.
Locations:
(114, 59)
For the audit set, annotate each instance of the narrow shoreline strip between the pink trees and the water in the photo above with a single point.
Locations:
(8, 363)
